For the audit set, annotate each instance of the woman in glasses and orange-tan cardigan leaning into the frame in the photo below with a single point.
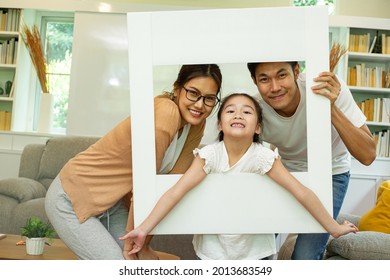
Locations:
(84, 203)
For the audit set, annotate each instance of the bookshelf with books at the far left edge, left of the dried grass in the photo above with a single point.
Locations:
(9, 49)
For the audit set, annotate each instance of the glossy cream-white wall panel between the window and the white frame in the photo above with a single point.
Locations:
(99, 96)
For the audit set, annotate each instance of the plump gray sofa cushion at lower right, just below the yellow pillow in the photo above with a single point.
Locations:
(364, 245)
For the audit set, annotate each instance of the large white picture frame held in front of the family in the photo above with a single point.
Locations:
(224, 203)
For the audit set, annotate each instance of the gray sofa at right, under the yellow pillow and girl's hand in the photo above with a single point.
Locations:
(364, 245)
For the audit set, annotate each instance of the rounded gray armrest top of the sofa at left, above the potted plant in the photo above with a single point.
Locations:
(22, 189)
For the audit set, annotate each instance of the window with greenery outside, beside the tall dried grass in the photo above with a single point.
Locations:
(57, 37)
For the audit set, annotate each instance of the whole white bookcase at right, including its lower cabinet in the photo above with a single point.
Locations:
(373, 61)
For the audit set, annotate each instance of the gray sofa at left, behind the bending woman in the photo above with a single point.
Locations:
(23, 197)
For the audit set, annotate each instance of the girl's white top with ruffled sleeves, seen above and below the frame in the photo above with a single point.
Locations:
(257, 159)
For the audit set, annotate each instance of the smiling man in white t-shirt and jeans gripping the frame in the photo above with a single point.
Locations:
(283, 91)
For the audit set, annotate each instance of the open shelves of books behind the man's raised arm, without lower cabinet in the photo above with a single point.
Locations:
(366, 69)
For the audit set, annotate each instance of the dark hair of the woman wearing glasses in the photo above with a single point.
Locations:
(190, 71)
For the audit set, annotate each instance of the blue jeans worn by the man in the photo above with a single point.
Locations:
(311, 246)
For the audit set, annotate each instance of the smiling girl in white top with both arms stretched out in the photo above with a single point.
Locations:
(239, 150)
